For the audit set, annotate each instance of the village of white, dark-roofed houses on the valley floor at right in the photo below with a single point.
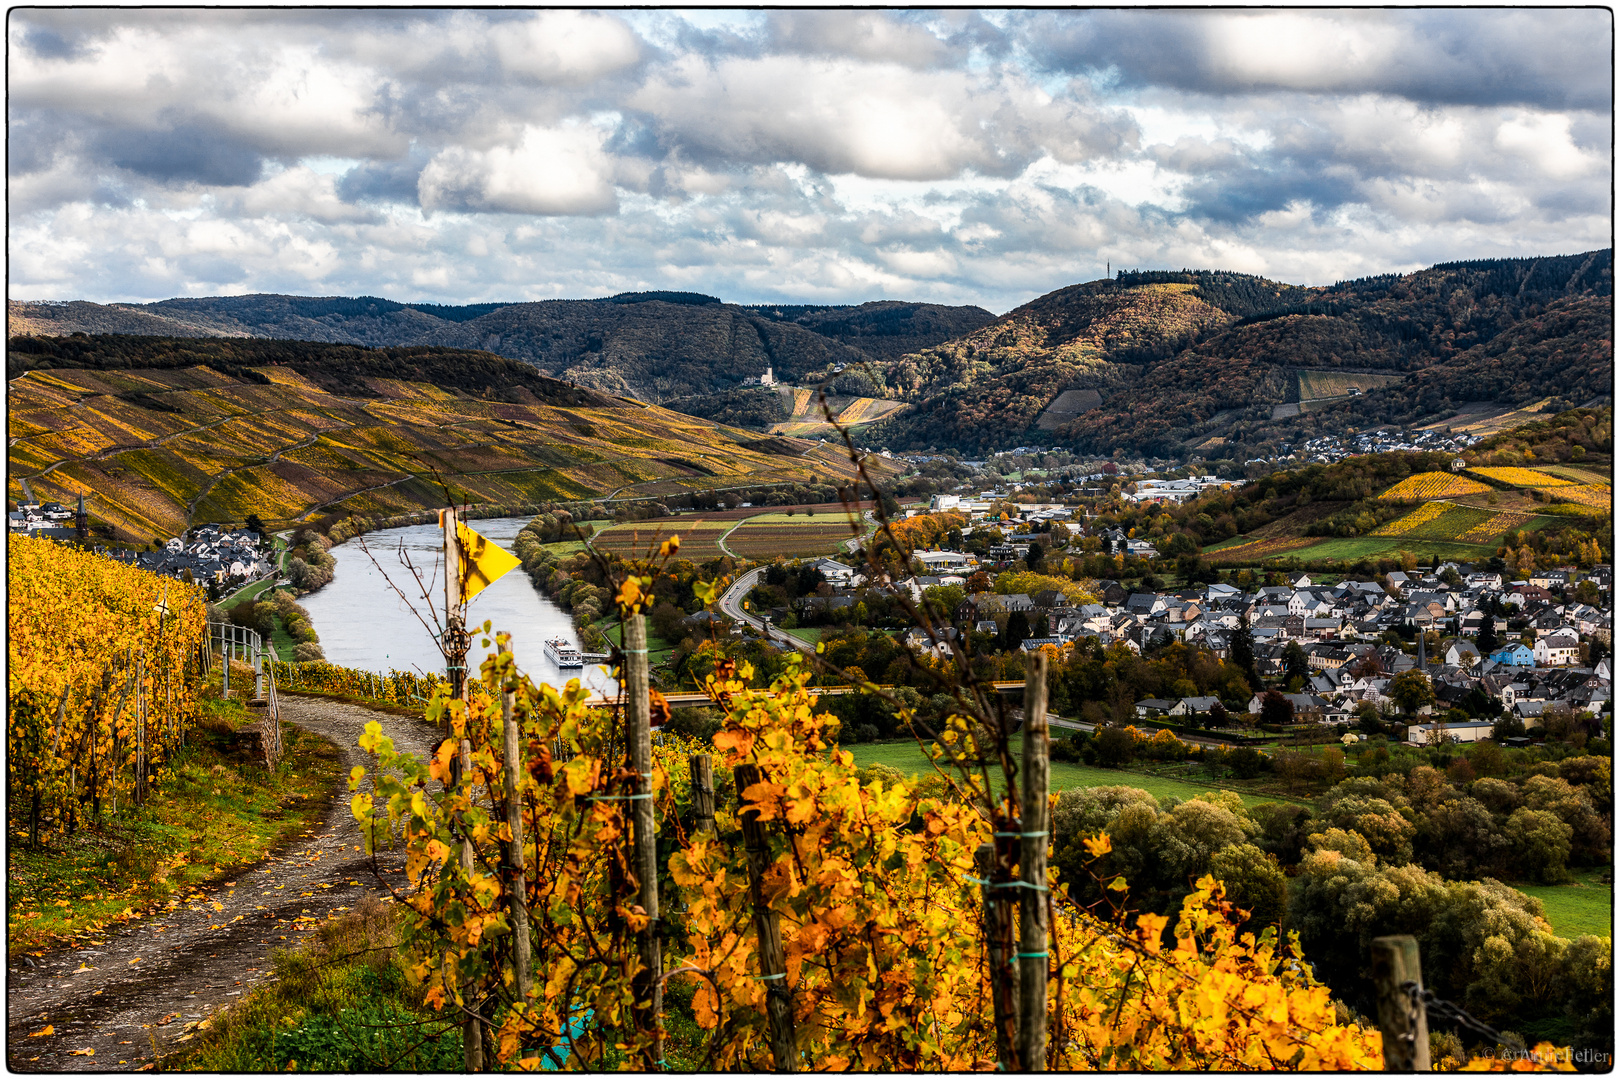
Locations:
(1493, 648)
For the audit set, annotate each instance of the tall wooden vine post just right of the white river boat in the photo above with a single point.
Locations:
(639, 738)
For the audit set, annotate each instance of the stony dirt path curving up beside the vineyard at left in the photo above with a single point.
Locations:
(205, 955)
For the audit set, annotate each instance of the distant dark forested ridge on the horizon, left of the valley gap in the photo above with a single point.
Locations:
(654, 347)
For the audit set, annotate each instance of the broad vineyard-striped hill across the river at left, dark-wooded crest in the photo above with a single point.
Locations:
(164, 433)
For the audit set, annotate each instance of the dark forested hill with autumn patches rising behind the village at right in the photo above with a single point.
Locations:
(1177, 364)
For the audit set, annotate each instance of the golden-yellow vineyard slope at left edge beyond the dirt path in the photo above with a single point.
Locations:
(103, 676)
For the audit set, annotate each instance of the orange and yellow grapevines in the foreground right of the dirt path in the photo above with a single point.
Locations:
(869, 895)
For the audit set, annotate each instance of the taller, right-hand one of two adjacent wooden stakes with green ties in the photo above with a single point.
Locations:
(1033, 862)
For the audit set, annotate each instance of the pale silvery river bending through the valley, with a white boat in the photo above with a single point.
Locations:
(367, 626)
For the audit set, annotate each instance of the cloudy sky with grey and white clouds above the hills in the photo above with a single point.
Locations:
(958, 156)
